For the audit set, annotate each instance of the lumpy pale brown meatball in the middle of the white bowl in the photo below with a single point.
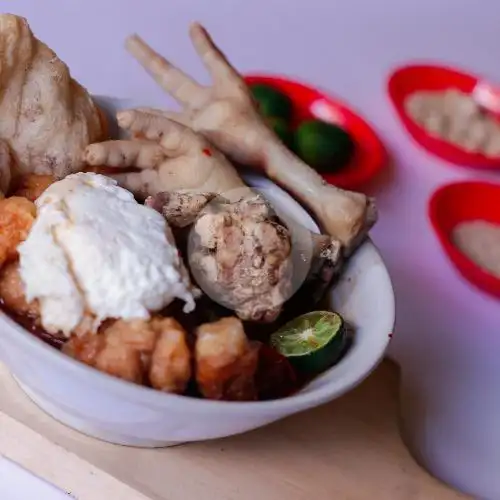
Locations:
(240, 255)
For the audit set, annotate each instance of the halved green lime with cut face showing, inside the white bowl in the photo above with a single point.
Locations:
(312, 342)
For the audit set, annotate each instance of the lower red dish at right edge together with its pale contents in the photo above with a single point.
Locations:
(466, 219)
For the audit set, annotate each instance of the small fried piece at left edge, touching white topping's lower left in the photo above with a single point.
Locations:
(12, 292)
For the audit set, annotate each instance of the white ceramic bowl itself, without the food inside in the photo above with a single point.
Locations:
(110, 409)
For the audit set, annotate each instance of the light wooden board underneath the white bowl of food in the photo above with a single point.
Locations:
(348, 450)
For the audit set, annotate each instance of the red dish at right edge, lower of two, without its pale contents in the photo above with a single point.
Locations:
(464, 201)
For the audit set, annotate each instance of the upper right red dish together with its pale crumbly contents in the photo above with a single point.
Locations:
(450, 113)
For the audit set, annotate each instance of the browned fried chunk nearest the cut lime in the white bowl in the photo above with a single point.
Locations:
(226, 362)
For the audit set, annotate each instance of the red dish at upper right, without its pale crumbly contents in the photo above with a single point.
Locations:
(409, 79)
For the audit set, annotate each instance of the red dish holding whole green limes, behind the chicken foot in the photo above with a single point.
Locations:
(321, 129)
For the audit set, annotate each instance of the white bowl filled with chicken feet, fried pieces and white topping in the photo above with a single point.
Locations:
(151, 292)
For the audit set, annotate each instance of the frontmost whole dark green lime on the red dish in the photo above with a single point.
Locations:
(323, 146)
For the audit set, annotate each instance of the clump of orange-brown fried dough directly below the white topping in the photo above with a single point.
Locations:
(152, 352)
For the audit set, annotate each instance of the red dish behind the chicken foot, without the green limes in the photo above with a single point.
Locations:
(308, 102)
